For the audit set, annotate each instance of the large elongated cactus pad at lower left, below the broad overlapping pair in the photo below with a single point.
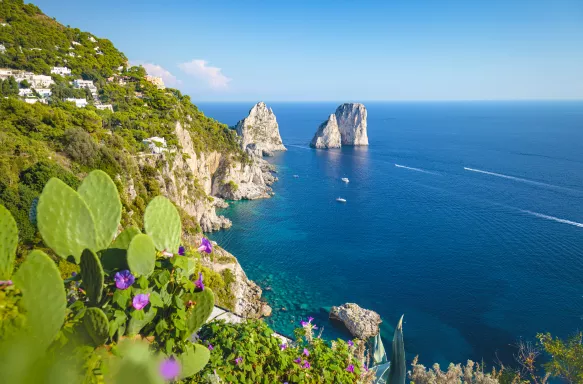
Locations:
(43, 297)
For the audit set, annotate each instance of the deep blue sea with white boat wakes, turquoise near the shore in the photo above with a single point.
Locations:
(465, 217)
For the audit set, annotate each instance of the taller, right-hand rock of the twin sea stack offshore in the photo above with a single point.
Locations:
(351, 118)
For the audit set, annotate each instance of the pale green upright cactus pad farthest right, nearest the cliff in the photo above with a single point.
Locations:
(162, 222)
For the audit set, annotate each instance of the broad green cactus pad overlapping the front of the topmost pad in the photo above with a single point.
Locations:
(65, 221)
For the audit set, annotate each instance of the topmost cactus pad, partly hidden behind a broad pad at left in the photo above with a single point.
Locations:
(100, 194)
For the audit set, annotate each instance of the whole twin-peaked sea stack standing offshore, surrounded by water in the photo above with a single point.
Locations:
(347, 126)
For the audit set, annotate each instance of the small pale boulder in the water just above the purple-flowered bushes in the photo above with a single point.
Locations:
(362, 323)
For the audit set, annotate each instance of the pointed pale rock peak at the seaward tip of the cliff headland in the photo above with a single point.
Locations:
(259, 131)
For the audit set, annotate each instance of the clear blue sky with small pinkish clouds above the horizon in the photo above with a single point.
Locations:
(346, 50)
